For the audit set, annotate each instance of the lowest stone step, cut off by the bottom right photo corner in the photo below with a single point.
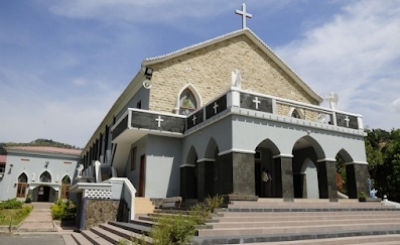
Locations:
(365, 240)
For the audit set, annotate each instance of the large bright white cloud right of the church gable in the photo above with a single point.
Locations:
(356, 55)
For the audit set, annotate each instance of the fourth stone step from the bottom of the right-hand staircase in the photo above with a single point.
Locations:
(275, 224)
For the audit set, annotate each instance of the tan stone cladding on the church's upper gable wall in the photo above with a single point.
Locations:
(209, 71)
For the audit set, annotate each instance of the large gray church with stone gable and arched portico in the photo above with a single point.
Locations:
(206, 119)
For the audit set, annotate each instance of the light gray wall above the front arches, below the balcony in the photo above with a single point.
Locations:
(249, 132)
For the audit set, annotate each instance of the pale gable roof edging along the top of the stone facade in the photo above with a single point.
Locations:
(253, 37)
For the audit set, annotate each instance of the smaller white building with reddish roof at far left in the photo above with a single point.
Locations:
(38, 173)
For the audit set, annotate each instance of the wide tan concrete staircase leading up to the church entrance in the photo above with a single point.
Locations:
(271, 221)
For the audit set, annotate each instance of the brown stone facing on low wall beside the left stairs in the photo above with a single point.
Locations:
(99, 211)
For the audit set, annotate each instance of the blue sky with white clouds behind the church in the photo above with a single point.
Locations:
(63, 63)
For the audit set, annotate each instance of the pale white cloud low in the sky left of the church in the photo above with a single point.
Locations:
(69, 119)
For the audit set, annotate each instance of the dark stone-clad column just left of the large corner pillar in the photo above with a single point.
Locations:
(205, 178)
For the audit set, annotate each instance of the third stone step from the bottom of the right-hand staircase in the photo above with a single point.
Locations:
(297, 229)
